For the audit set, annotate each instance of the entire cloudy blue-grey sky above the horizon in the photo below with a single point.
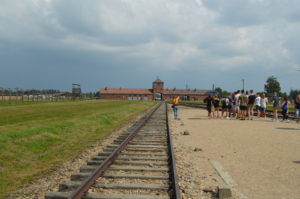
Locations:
(128, 43)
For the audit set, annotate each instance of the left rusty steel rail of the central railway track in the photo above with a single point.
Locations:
(83, 188)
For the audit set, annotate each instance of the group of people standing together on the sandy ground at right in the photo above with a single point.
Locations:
(241, 104)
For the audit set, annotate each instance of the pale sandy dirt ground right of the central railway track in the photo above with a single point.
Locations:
(261, 156)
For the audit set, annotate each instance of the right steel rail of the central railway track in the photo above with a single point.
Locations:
(174, 177)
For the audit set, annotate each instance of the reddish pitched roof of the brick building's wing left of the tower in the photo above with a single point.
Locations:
(126, 91)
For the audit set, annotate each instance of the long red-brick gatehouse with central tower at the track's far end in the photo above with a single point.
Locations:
(158, 92)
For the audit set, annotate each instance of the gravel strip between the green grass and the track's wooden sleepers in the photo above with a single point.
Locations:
(50, 182)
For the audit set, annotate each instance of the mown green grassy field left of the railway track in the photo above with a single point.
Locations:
(35, 137)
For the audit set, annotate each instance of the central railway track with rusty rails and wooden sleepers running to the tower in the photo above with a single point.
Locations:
(139, 164)
